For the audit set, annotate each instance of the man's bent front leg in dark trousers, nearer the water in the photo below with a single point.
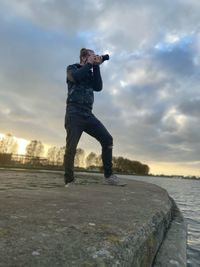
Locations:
(96, 129)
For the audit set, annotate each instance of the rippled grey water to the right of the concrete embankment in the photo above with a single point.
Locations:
(186, 194)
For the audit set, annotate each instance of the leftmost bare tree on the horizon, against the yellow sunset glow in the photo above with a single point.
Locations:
(8, 144)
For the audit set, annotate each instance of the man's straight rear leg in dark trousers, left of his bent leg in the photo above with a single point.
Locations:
(74, 130)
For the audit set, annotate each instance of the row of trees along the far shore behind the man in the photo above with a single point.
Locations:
(55, 156)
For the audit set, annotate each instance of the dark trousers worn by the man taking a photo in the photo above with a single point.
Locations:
(78, 121)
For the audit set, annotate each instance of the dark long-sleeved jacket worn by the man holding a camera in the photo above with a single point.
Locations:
(82, 81)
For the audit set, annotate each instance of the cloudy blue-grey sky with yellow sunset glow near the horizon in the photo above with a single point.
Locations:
(150, 101)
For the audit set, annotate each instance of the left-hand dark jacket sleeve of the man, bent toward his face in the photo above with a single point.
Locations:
(75, 74)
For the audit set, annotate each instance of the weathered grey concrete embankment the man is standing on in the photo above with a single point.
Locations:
(88, 224)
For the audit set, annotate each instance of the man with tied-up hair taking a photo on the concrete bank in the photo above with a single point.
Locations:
(82, 80)
